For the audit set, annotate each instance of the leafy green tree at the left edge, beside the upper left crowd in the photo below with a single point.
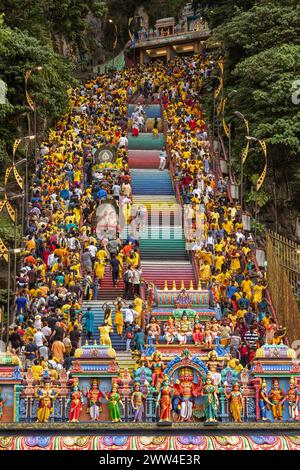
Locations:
(18, 53)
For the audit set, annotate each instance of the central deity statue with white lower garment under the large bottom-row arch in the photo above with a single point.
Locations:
(185, 392)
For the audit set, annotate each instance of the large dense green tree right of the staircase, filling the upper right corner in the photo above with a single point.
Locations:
(261, 49)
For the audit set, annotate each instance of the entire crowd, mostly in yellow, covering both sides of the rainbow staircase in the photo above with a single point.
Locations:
(71, 238)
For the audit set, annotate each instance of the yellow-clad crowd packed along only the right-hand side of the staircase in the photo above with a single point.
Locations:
(213, 222)
